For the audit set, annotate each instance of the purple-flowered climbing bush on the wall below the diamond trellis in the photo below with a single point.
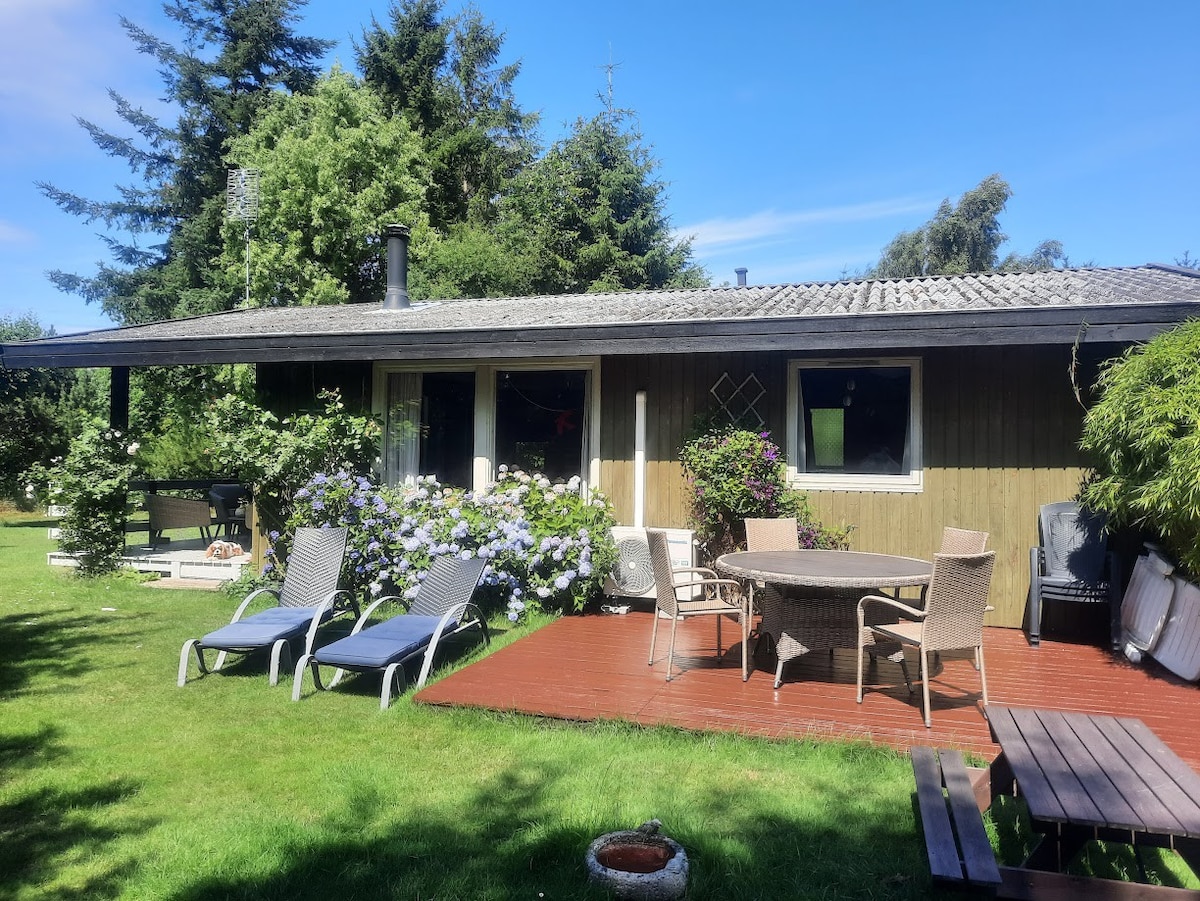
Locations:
(737, 474)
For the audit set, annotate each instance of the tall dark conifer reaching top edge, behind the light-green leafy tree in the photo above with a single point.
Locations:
(445, 76)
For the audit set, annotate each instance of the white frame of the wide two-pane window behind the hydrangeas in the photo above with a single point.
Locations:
(484, 470)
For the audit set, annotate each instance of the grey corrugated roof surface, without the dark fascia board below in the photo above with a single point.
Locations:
(968, 293)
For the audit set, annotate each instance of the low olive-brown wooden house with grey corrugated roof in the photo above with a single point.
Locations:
(903, 406)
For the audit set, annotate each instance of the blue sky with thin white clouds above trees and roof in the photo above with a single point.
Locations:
(797, 140)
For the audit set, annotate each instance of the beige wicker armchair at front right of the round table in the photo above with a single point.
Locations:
(951, 621)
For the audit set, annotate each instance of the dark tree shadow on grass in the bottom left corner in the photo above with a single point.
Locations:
(46, 828)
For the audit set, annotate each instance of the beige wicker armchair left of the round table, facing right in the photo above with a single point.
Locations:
(721, 598)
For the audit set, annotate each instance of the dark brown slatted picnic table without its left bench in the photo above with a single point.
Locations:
(1093, 777)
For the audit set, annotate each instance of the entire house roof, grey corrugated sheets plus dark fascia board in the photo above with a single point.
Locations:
(1125, 304)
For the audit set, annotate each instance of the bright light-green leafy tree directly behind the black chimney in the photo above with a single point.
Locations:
(335, 169)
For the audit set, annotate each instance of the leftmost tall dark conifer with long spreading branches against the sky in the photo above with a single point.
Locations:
(165, 231)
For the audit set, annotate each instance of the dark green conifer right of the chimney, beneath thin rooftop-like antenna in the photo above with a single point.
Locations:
(591, 215)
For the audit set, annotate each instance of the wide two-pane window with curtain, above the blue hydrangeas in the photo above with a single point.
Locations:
(460, 423)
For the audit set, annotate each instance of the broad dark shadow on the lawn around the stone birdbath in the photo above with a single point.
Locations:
(515, 844)
